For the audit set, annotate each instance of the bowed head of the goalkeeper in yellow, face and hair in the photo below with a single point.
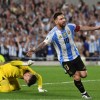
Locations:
(29, 78)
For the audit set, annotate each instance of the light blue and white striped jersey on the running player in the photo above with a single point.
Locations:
(63, 42)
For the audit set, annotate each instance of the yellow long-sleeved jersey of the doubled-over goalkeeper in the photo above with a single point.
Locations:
(16, 69)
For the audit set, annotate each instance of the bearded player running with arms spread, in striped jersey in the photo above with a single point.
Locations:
(62, 37)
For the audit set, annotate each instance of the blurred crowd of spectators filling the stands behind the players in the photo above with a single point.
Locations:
(25, 23)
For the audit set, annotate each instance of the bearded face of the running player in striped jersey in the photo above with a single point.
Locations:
(61, 21)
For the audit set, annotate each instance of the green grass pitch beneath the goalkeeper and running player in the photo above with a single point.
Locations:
(59, 85)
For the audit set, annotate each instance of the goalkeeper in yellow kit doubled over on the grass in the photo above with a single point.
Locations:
(10, 72)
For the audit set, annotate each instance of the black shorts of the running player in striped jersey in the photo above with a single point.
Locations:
(75, 65)
